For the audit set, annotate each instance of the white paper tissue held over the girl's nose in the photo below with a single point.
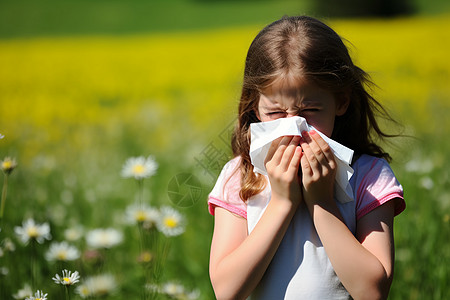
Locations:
(263, 133)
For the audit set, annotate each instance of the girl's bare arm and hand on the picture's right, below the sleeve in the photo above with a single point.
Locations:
(363, 264)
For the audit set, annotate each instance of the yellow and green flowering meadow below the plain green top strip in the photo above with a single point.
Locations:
(74, 109)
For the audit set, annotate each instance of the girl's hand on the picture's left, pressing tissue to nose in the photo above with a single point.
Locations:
(282, 164)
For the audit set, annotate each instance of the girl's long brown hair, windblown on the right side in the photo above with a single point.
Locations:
(306, 47)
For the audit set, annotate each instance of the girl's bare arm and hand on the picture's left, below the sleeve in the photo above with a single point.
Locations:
(238, 260)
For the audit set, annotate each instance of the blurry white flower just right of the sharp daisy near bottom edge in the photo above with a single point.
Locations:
(97, 286)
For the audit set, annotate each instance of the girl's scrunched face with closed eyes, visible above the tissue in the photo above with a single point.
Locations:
(298, 97)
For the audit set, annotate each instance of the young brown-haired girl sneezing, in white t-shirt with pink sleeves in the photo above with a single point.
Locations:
(305, 244)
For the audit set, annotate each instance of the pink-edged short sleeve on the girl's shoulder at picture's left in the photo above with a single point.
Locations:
(226, 191)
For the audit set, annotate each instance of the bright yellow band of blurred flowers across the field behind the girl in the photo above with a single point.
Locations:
(50, 83)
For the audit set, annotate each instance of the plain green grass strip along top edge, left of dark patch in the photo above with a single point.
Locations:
(80, 17)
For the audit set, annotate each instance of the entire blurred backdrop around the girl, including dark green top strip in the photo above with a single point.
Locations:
(84, 85)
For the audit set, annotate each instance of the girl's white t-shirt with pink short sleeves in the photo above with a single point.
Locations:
(300, 268)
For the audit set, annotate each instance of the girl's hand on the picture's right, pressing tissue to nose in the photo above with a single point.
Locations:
(318, 168)
